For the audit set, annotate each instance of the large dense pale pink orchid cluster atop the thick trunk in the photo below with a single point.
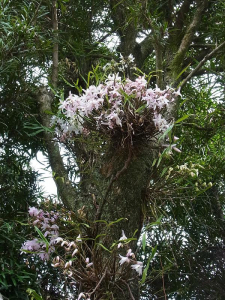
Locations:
(116, 107)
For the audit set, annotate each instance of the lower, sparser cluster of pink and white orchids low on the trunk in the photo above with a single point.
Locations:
(76, 259)
